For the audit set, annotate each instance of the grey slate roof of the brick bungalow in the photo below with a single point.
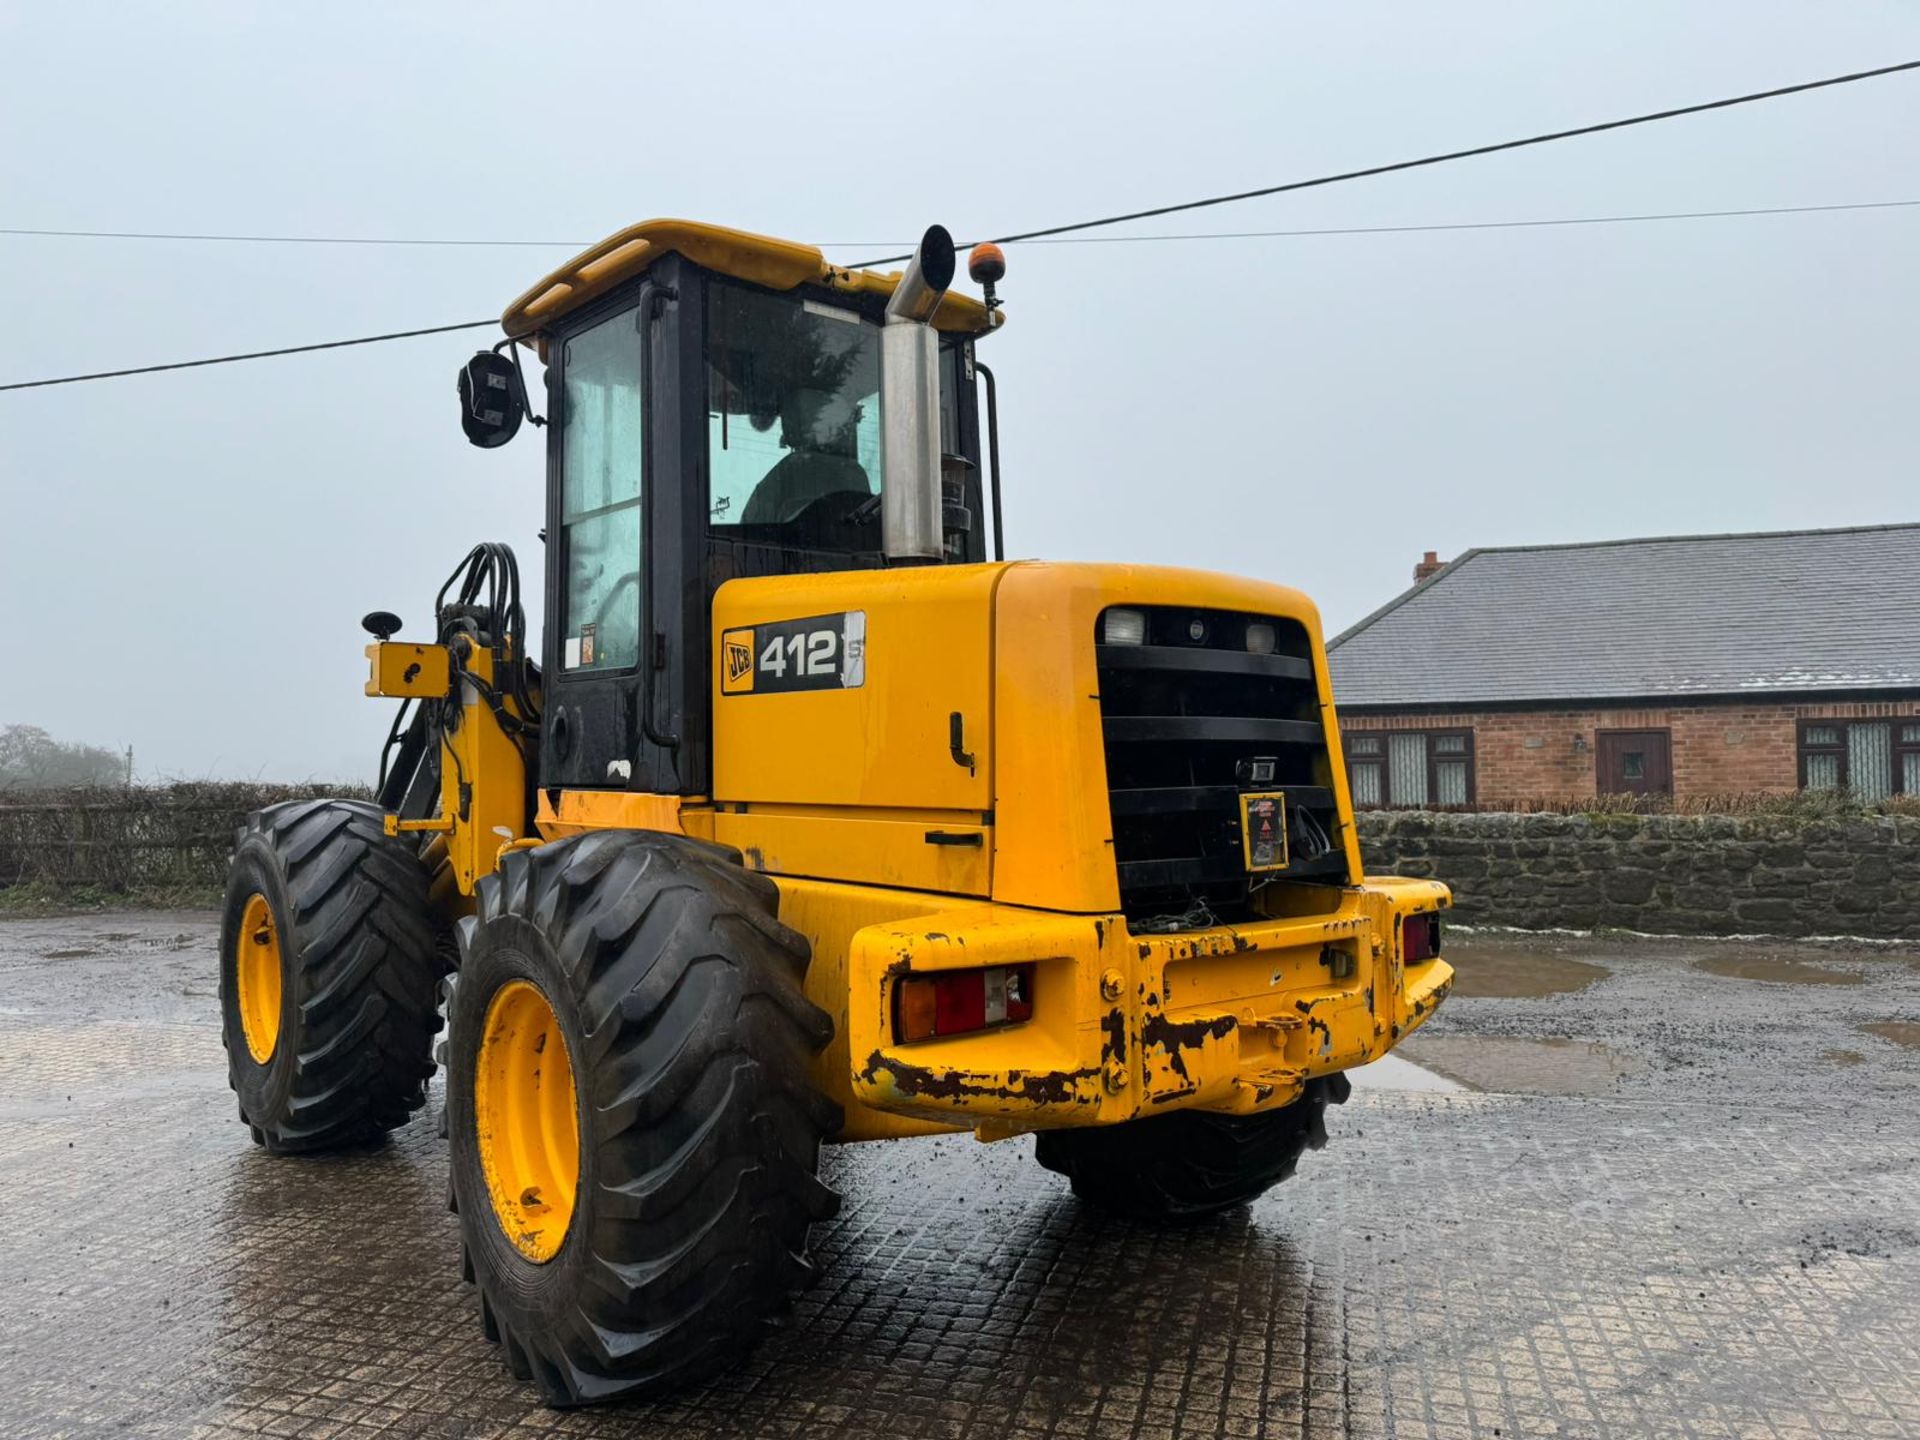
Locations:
(1643, 619)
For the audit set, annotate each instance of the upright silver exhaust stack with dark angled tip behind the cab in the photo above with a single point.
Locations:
(911, 404)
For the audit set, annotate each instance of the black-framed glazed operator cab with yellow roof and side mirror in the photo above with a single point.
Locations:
(723, 406)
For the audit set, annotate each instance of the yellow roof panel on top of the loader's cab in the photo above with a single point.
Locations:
(756, 258)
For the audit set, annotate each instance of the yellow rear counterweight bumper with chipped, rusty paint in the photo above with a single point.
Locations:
(1234, 1019)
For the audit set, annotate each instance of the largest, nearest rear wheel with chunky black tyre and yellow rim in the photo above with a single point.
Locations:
(636, 1212)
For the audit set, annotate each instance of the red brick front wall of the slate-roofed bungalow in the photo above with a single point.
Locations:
(1717, 748)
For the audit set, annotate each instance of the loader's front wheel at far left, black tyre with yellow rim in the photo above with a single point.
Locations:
(329, 976)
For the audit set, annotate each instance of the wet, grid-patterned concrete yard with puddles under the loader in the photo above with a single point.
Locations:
(1683, 1199)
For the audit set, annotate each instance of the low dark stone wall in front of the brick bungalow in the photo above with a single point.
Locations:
(1673, 875)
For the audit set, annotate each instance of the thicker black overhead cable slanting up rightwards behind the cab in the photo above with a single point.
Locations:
(1103, 222)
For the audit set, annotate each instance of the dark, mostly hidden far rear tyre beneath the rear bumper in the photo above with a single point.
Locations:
(1189, 1164)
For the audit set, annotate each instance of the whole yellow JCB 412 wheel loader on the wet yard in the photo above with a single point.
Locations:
(809, 819)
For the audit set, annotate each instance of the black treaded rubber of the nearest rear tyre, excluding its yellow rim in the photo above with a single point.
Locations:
(706, 1130)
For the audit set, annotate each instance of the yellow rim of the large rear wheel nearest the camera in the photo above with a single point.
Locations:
(527, 1120)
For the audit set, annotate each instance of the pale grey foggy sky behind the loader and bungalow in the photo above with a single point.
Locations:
(185, 558)
